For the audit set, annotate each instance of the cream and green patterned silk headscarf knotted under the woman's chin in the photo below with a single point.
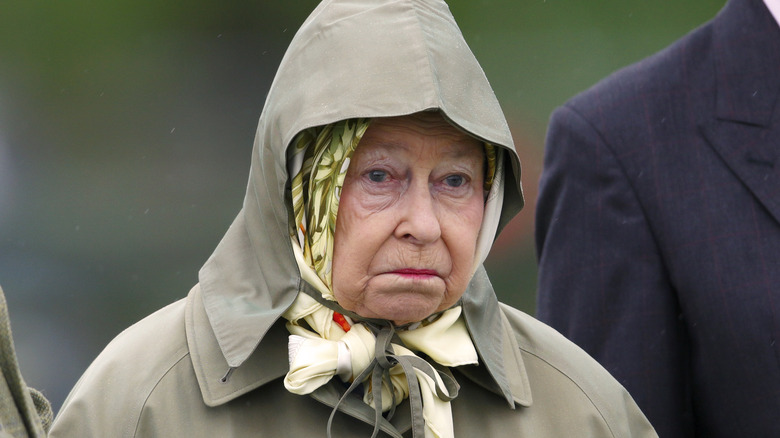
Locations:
(324, 341)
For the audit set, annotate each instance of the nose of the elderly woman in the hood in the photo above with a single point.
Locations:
(419, 220)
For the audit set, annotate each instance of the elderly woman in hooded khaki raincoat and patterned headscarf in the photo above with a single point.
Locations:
(348, 298)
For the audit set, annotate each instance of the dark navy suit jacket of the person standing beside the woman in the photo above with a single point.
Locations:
(658, 227)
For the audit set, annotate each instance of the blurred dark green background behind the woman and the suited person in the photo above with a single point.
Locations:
(126, 129)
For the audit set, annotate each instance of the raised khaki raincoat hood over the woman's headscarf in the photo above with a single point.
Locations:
(349, 59)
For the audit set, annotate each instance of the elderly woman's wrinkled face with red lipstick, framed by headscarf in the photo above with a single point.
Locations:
(410, 211)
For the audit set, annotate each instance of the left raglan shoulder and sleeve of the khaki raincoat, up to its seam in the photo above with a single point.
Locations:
(111, 396)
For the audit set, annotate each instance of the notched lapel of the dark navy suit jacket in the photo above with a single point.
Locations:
(745, 128)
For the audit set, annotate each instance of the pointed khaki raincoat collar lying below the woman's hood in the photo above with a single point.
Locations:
(501, 368)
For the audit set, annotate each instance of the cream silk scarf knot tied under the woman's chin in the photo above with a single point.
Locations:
(380, 357)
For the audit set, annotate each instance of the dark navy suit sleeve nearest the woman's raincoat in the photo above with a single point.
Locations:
(602, 280)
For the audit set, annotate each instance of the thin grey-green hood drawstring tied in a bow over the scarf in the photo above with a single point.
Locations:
(379, 369)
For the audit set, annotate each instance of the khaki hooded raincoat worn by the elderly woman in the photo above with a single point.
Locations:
(212, 364)
